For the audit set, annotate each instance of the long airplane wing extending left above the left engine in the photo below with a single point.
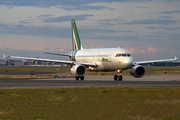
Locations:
(87, 64)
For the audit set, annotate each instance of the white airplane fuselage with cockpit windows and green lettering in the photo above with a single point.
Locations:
(107, 59)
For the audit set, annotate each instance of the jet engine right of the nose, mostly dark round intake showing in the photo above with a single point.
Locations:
(137, 71)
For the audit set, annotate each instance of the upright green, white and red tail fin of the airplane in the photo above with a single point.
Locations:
(76, 43)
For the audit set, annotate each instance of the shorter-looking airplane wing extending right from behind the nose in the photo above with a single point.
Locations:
(154, 61)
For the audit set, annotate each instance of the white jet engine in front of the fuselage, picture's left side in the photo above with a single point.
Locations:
(78, 70)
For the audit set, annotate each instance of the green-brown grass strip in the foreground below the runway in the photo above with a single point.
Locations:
(90, 103)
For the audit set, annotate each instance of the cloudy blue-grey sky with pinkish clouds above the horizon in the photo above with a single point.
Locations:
(148, 29)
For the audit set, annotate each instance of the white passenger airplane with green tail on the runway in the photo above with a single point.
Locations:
(101, 59)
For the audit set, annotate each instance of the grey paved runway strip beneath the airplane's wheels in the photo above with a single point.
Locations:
(165, 80)
